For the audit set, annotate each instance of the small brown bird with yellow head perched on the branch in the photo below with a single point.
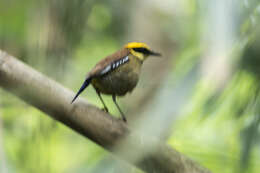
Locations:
(118, 73)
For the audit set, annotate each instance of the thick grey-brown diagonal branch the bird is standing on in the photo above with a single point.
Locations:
(108, 132)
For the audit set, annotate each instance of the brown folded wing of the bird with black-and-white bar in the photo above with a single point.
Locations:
(110, 63)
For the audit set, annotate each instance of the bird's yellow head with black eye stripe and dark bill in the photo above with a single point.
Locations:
(140, 50)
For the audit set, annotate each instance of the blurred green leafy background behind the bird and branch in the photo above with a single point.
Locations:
(202, 97)
